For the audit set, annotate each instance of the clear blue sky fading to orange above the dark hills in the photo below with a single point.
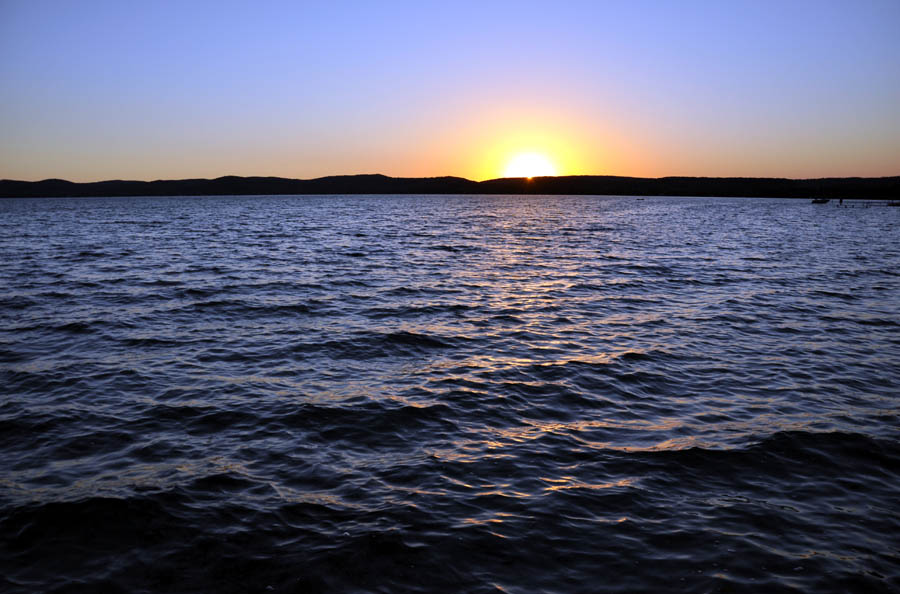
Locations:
(93, 90)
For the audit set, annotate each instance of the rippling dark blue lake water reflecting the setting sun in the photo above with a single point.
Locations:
(448, 394)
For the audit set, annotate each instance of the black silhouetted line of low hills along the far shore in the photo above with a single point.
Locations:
(834, 187)
